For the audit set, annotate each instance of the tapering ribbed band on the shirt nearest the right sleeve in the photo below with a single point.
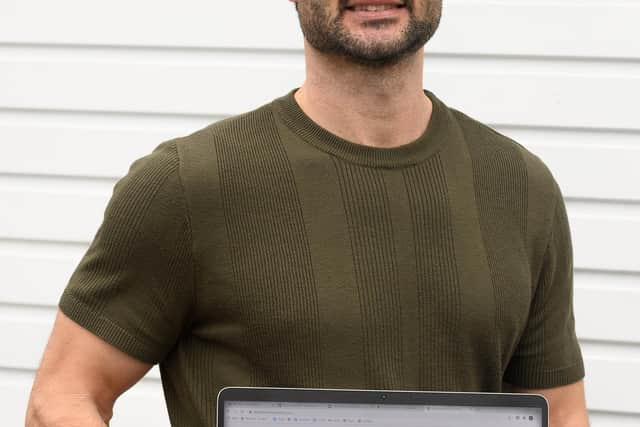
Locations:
(500, 180)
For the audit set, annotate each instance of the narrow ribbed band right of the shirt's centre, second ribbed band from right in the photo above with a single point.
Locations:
(438, 284)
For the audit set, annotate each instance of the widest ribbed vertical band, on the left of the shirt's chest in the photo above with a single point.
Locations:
(270, 254)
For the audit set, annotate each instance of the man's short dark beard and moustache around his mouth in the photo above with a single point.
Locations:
(330, 36)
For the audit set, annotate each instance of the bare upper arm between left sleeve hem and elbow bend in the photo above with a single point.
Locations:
(77, 363)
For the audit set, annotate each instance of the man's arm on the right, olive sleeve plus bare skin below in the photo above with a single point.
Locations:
(547, 360)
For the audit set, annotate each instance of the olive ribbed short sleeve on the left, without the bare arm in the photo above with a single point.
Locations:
(134, 286)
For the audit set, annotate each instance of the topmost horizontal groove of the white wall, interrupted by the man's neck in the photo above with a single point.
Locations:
(298, 52)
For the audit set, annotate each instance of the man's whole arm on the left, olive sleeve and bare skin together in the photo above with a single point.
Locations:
(129, 299)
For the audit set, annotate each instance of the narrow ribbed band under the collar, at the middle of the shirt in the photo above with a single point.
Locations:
(369, 220)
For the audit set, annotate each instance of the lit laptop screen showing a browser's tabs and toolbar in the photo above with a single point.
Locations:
(298, 414)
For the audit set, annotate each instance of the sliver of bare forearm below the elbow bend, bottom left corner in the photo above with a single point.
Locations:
(68, 410)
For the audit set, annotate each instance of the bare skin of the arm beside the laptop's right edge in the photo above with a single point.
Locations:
(567, 404)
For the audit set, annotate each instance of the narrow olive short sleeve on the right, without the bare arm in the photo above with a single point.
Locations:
(548, 354)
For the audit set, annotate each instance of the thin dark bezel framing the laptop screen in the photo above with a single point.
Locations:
(392, 397)
